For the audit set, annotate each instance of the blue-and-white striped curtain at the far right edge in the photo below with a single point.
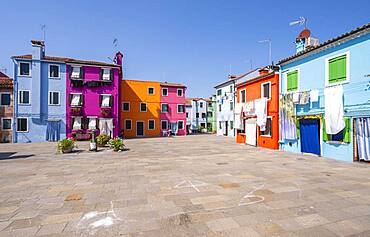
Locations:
(363, 138)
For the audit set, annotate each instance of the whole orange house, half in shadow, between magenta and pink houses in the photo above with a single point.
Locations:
(140, 108)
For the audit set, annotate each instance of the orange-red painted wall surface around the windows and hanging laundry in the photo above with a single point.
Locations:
(253, 91)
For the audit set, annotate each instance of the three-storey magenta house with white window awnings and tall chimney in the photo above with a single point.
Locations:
(93, 97)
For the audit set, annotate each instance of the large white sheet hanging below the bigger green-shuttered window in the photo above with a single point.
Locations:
(334, 121)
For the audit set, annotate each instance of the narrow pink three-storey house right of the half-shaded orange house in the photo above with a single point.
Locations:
(173, 112)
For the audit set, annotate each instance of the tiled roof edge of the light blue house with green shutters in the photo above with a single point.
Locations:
(365, 29)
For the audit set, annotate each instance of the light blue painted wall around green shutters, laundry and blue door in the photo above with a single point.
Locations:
(356, 96)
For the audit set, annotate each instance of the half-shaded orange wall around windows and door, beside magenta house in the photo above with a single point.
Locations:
(136, 92)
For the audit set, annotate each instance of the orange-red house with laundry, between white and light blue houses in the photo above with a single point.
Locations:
(265, 85)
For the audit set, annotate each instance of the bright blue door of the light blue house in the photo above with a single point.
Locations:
(310, 135)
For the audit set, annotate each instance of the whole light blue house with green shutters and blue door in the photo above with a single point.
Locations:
(342, 63)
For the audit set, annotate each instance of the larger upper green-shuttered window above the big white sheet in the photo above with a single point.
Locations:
(337, 69)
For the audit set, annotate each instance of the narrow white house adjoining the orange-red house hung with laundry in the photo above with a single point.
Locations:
(225, 102)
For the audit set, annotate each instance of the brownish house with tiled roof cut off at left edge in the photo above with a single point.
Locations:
(6, 108)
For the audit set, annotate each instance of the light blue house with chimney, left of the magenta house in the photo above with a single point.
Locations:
(39, 96)
